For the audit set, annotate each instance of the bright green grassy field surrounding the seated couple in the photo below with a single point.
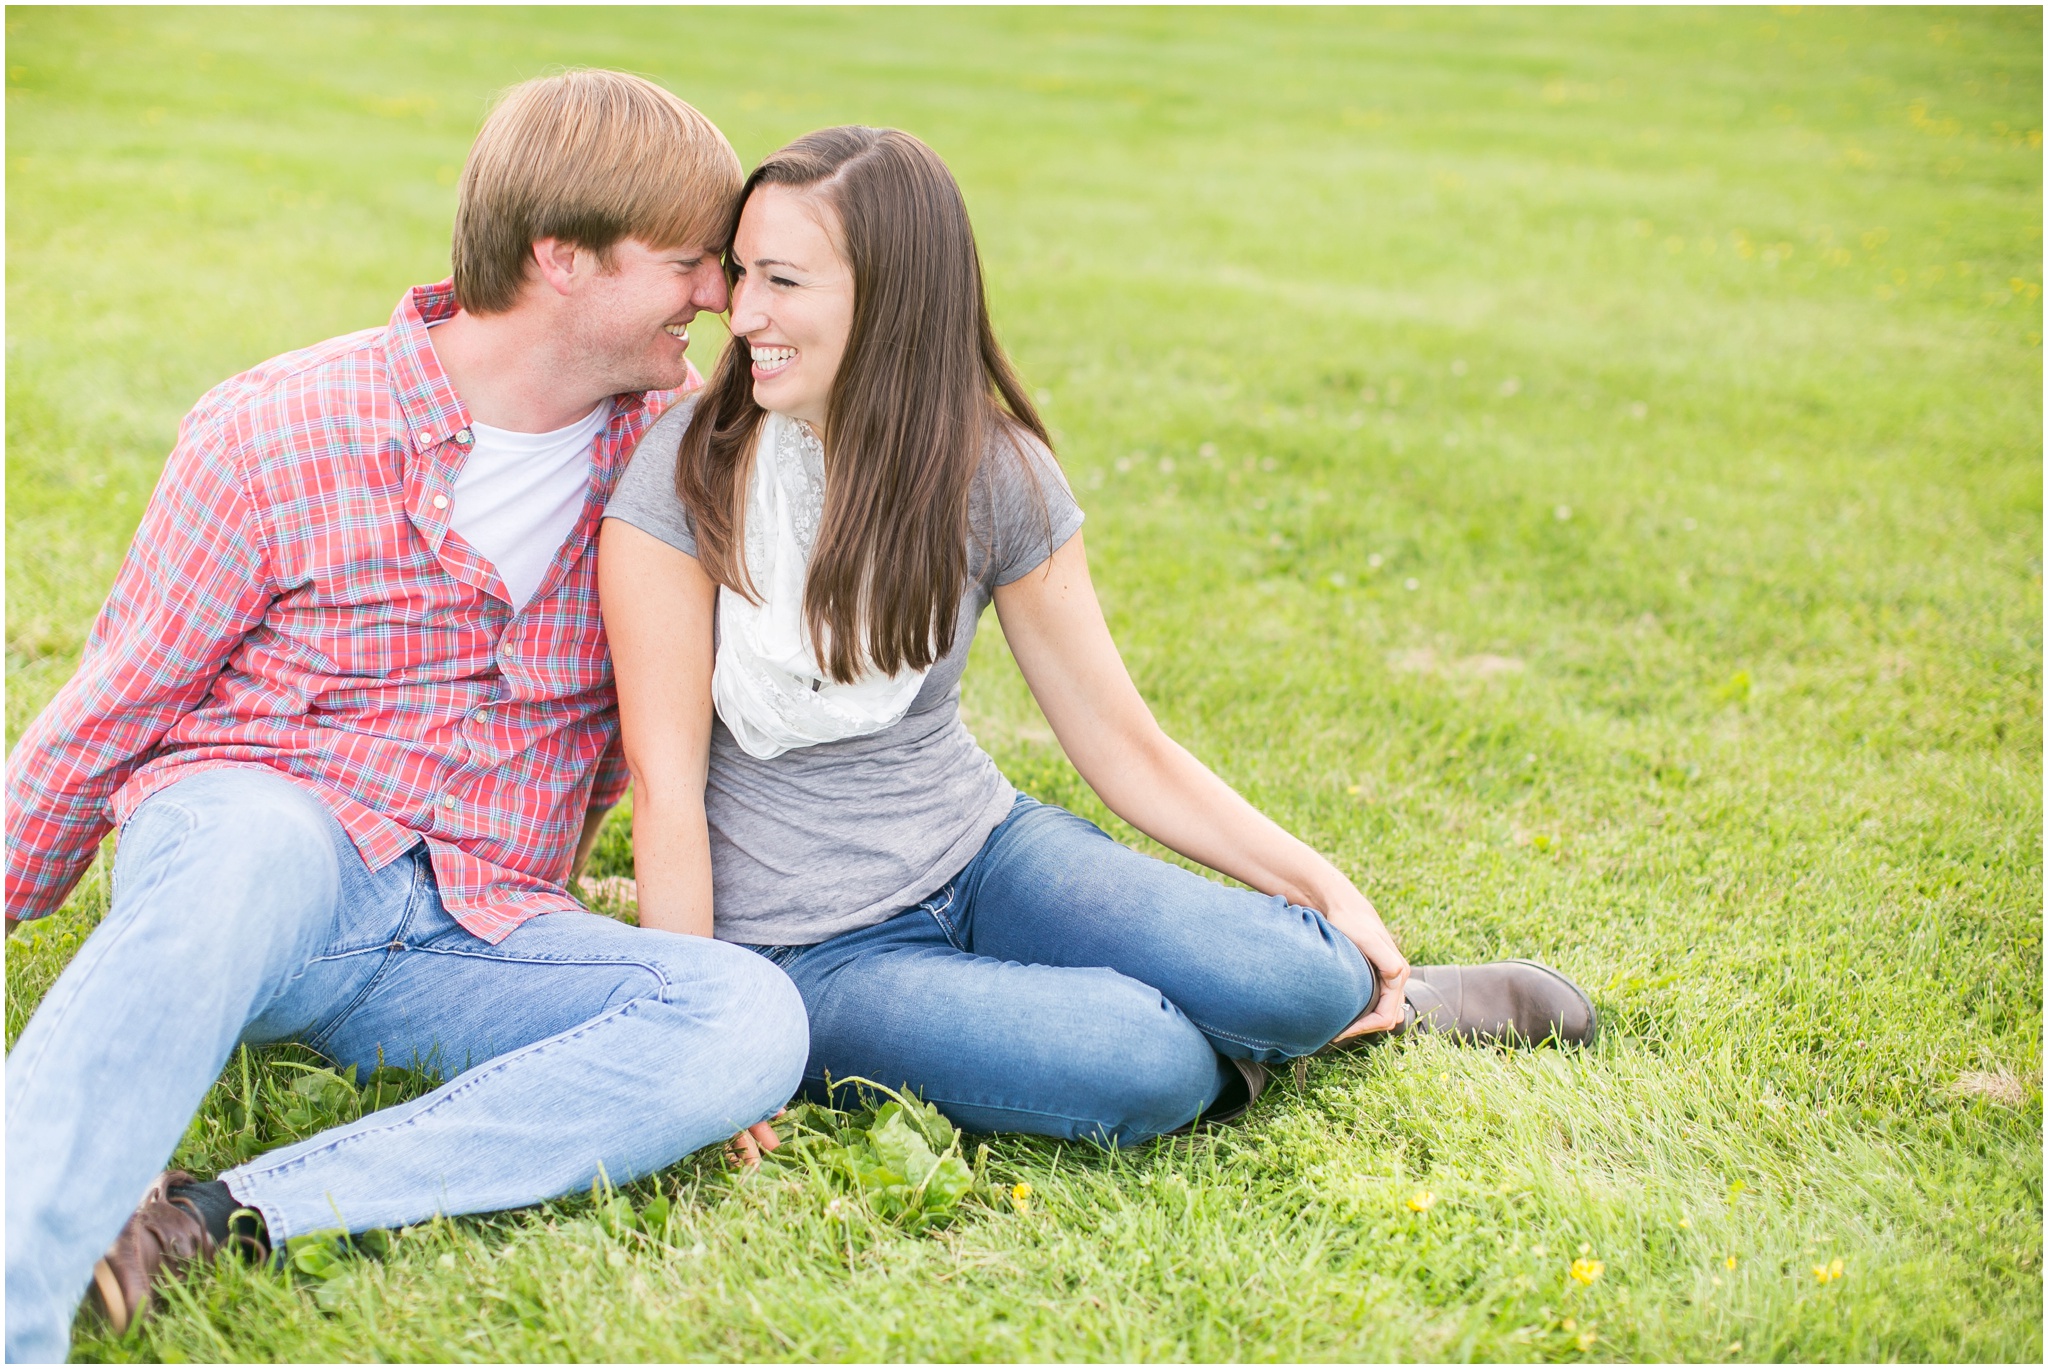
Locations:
(1580, 470)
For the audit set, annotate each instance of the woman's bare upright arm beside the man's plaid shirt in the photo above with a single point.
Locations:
(658, 606)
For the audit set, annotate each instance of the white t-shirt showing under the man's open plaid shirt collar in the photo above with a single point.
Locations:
(521, 495)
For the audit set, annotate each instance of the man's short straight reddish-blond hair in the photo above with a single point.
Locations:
(591, 159)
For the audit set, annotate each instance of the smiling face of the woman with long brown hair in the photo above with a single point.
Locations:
(794, 300)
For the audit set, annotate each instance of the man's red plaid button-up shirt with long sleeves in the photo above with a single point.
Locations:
(296, 599)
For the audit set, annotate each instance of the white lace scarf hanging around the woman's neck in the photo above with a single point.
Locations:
(765, 681)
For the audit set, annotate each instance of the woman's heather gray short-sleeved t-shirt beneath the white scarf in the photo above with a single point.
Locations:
(837, 837)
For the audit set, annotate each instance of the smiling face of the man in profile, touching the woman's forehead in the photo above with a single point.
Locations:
(632, 321)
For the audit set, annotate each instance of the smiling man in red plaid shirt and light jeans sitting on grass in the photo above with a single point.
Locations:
(351, 706)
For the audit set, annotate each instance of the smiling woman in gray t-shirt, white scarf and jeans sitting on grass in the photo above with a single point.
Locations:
(792, 577)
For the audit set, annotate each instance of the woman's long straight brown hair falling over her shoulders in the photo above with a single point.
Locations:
(921, 392)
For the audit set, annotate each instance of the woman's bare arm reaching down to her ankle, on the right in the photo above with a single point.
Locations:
(1064, 649)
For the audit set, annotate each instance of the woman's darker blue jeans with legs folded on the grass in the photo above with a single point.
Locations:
(1070, 987)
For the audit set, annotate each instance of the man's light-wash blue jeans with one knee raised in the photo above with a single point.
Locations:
(243, 913)
